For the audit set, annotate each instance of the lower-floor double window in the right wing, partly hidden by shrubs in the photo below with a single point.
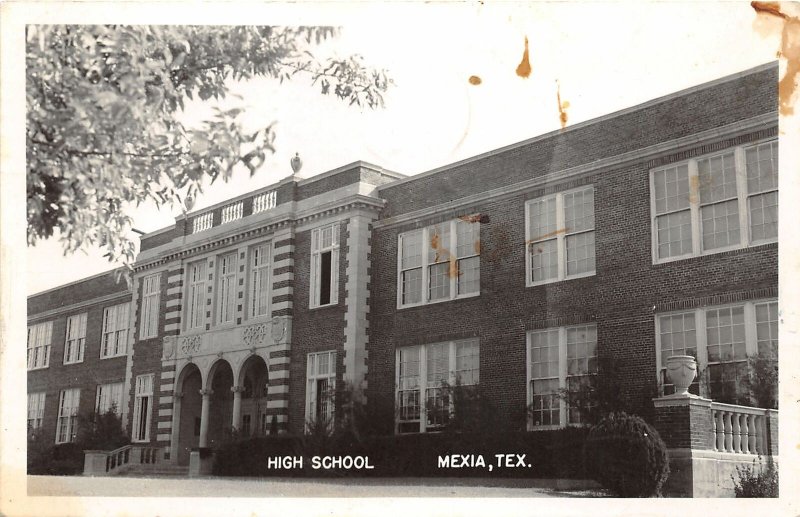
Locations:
(562, 363)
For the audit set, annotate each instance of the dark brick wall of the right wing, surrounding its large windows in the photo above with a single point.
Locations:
(623, 295)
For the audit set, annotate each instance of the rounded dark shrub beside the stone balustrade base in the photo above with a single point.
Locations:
(627, 456)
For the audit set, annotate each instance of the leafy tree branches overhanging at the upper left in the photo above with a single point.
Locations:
(103, 116)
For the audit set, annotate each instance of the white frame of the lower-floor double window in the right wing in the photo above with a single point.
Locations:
(562, 374)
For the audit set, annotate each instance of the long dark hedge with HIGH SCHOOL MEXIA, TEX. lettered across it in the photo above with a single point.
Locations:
(551, 454)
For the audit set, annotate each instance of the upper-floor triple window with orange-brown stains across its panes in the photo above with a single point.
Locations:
(449, 269)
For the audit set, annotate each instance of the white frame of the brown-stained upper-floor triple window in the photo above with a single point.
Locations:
(449, 255)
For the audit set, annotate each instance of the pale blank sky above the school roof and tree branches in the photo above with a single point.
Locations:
(599, 57)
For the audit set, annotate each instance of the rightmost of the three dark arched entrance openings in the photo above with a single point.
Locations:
(253, 377)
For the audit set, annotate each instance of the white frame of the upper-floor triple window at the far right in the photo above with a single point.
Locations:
(695, 203)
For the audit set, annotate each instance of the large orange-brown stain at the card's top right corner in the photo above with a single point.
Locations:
(790, 49)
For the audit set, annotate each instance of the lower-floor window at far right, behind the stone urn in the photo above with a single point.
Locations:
(721, 338)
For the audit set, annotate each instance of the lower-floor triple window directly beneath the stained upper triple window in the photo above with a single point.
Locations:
(426, 377)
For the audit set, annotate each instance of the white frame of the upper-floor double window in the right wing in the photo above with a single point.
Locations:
(561, 238)
